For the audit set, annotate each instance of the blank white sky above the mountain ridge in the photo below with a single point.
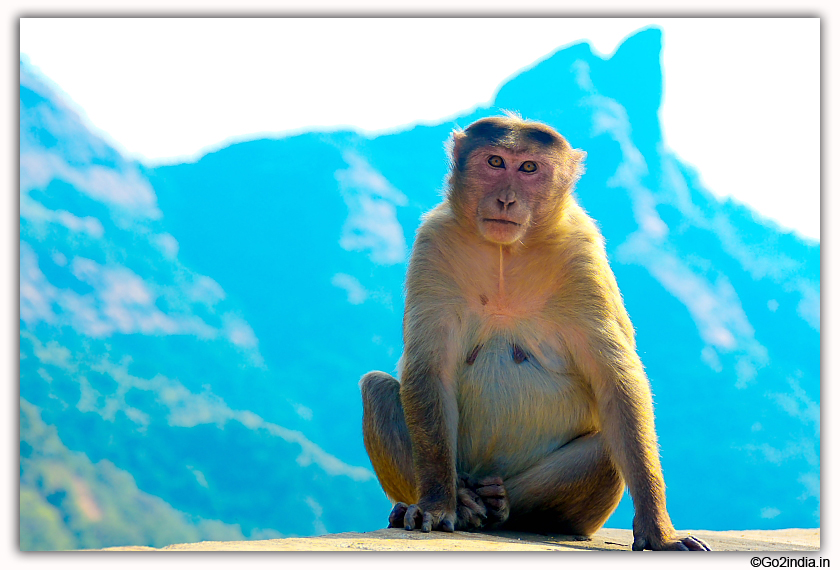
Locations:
(741, 96)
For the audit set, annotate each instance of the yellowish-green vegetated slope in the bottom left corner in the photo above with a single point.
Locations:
(69, 502)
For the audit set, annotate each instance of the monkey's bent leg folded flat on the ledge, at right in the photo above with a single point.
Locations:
(571, 491)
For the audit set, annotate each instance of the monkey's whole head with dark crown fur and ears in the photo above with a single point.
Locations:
(510, 176)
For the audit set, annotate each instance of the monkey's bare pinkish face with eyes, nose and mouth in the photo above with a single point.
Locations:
(506, 190)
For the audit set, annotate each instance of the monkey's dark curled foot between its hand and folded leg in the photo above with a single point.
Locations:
(481, 504)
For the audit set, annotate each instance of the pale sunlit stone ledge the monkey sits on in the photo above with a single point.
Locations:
(604, 539)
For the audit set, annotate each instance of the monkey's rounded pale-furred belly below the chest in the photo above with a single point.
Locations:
(515, 408)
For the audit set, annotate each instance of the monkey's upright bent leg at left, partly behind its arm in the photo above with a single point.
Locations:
(386, 436)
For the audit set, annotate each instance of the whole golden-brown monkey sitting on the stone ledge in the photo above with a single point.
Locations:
(522, 403)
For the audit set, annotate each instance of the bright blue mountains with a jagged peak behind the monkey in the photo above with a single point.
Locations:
(192, 335)
